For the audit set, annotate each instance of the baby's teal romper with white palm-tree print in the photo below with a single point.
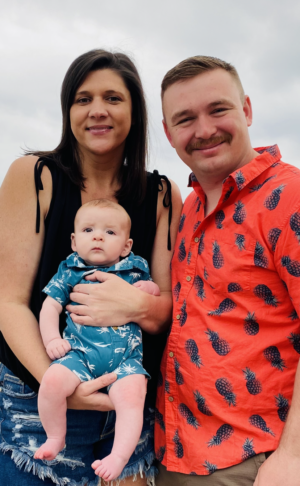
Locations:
(99, 350)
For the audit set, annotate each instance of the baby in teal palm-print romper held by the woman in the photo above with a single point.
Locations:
(101, 237)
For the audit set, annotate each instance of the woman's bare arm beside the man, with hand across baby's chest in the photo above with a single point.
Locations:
(116, 302)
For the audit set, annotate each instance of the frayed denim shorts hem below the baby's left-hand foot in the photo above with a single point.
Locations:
(23, 460)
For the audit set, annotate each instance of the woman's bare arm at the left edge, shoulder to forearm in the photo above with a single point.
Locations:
(20, 252)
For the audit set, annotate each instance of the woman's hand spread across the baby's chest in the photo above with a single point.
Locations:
(111, 303)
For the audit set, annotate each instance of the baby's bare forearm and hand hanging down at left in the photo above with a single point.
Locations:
(56, 347)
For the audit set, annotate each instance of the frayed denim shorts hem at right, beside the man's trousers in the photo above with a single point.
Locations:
(143, 466)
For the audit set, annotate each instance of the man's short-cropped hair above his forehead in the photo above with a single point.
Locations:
(193, 66)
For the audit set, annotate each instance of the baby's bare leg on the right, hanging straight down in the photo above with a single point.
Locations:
(128, 396)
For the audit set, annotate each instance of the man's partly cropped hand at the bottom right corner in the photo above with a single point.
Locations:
(280, 469)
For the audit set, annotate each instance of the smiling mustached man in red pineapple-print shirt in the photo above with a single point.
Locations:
(231, 358)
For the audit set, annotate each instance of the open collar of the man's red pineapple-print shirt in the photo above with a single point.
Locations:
(266, 157)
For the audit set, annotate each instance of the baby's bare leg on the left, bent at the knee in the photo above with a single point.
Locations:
(58, 383)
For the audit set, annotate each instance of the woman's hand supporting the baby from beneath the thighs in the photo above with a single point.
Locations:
(87, 396)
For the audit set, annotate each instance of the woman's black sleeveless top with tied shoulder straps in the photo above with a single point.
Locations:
(59, 225)
